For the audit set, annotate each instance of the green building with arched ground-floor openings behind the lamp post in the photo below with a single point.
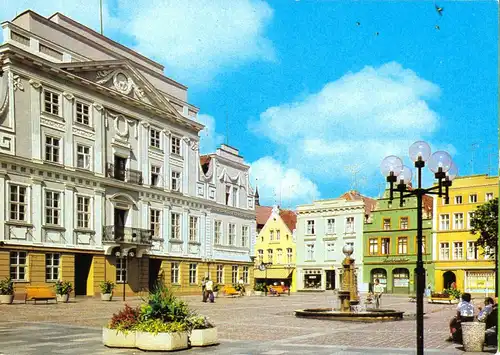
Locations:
(390, 244)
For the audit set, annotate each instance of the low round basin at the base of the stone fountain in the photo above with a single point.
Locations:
(373, 315)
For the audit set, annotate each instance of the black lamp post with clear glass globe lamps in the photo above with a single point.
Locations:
(441, 164)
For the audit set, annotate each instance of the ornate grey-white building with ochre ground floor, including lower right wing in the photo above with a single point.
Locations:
(100, 173)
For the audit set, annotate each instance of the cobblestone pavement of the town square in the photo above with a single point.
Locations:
(246, 325)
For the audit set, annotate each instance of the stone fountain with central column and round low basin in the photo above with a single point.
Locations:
(350, 309)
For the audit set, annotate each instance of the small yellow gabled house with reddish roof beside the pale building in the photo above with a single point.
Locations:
(275, 246)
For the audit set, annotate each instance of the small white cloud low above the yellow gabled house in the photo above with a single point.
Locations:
(277, 183)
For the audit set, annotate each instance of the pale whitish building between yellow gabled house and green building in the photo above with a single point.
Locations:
(323, 228)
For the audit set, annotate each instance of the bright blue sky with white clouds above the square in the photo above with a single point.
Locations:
(315, 94)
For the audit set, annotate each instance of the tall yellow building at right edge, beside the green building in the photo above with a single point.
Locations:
(457, 259)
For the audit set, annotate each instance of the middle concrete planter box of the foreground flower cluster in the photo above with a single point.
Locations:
(161, 341)
